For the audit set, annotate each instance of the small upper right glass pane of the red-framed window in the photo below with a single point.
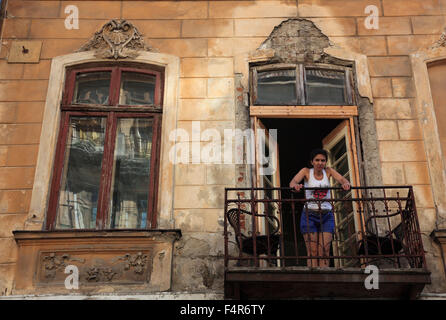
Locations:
(137, 89)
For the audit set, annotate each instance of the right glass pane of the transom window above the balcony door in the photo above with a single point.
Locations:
(325, 87)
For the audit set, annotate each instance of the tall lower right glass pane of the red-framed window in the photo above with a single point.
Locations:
(131, 173)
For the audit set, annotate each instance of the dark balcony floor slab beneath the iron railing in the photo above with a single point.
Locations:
(321, 283)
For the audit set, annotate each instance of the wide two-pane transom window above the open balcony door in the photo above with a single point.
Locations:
(301, 85)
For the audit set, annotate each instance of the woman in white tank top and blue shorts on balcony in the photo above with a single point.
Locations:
(317, 219)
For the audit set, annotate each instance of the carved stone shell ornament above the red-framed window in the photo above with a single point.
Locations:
(117, 39)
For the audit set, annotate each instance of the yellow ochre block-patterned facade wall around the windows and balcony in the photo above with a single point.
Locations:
(209, 37)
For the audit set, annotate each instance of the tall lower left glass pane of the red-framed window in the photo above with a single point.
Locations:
(81, 176)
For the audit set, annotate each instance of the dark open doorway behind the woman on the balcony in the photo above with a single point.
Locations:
(296, 138)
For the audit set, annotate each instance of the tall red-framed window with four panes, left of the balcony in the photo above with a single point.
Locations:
(105, 173)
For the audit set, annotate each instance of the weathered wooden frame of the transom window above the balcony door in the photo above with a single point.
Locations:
(301, 81)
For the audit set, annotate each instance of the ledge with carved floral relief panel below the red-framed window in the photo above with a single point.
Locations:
(117, 261)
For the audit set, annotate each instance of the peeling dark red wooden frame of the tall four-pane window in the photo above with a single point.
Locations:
(112, 112)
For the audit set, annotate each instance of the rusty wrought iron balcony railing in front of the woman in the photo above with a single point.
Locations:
(373, 226)
